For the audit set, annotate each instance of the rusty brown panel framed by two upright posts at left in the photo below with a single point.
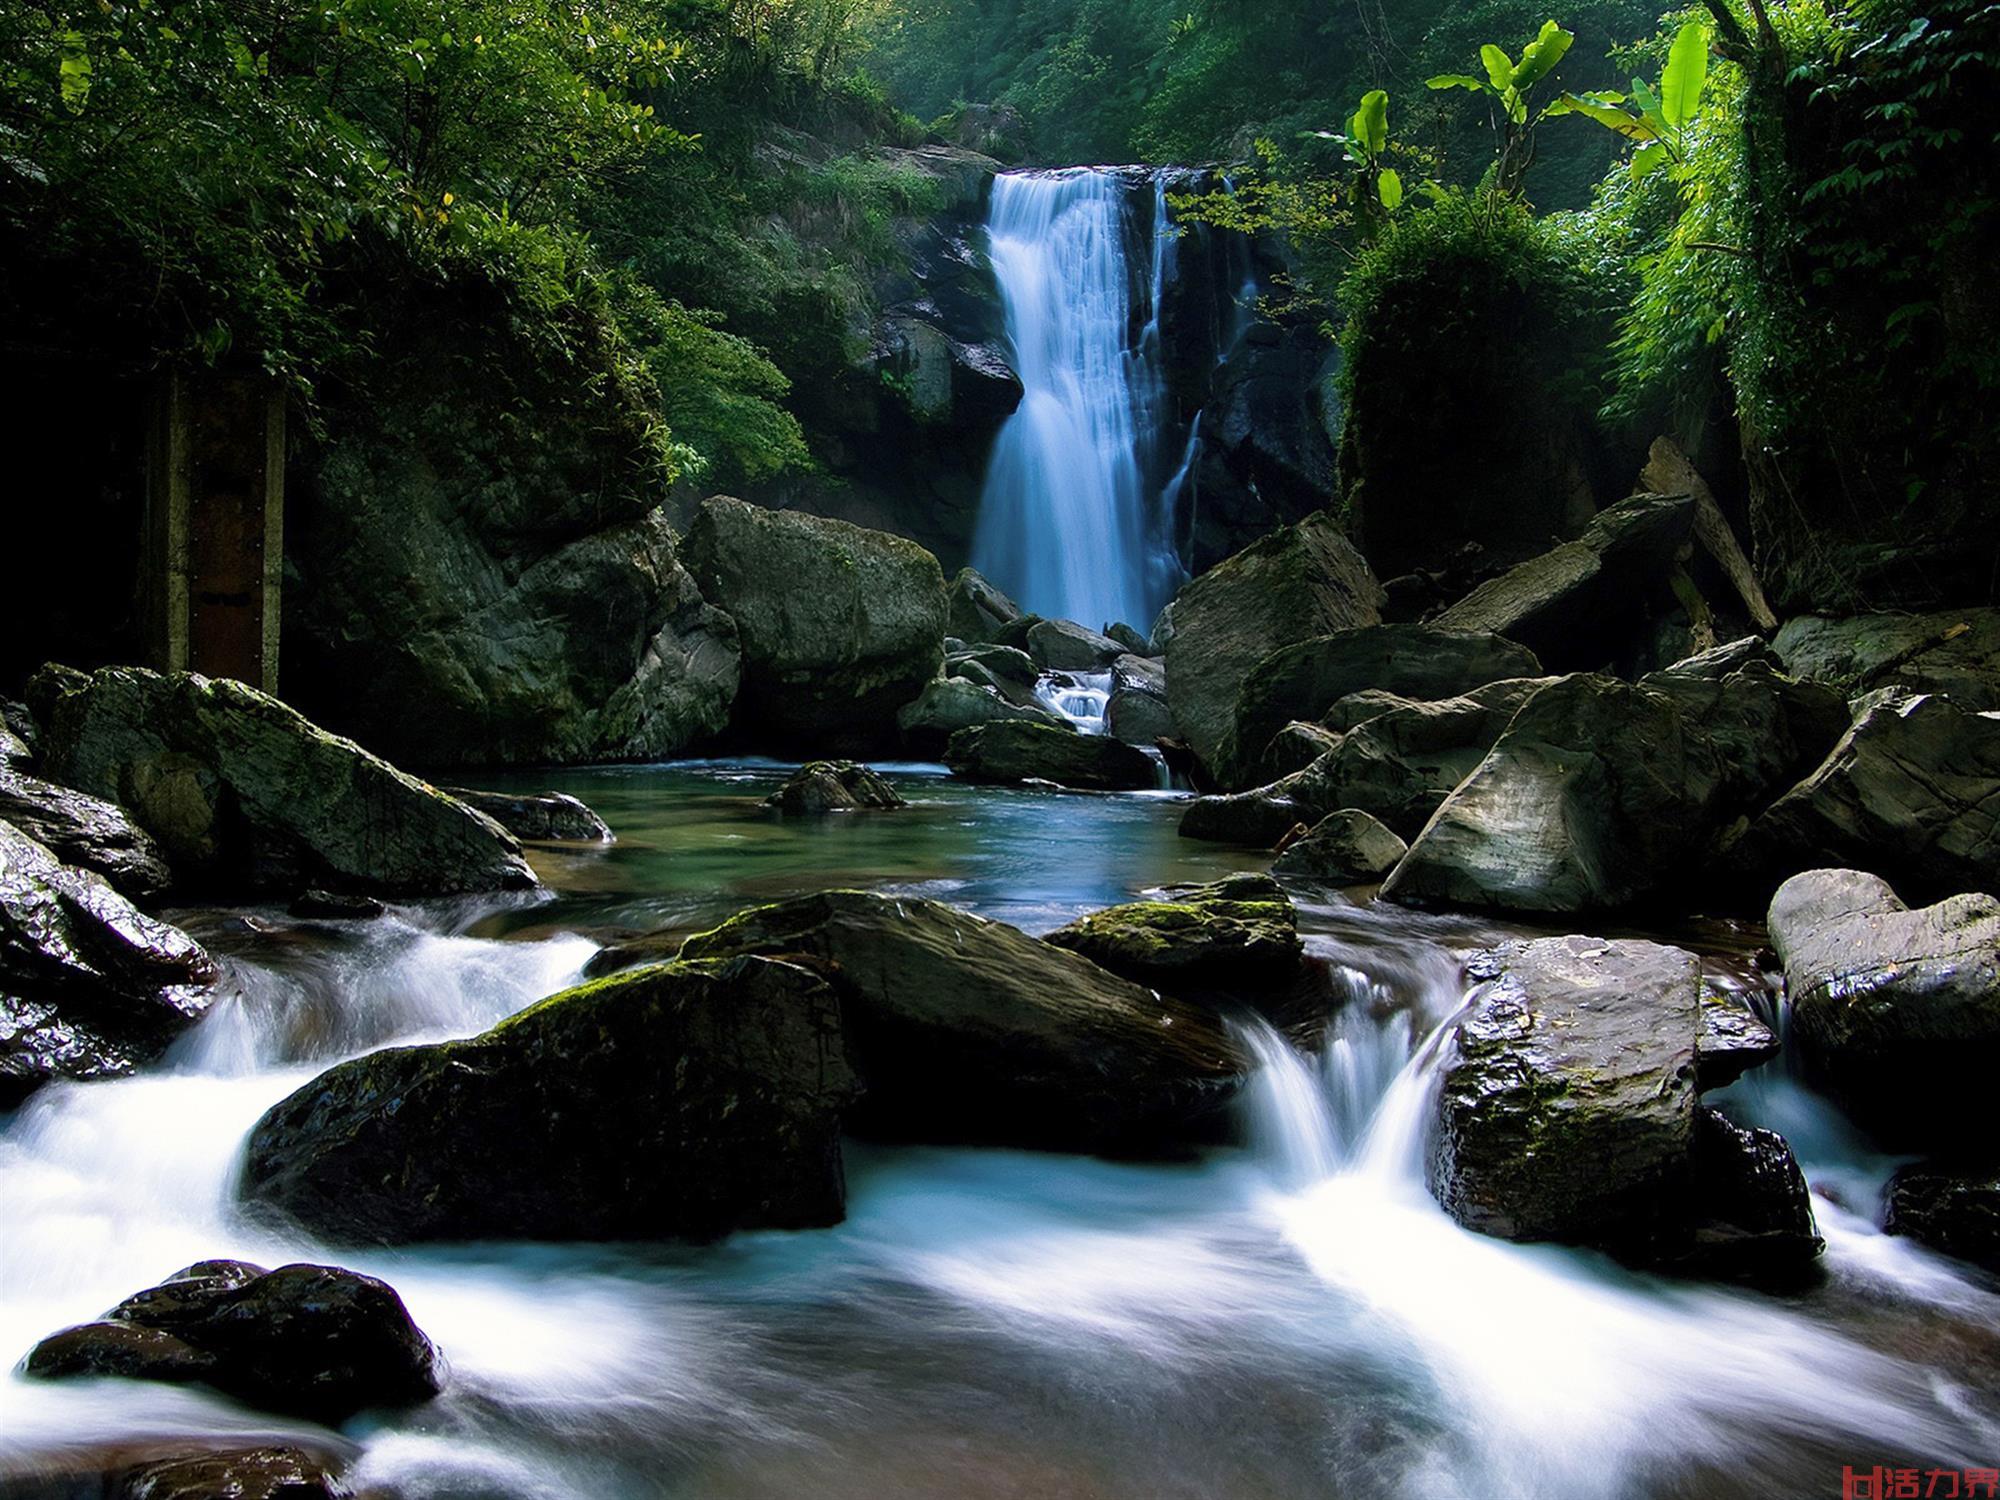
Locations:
(215, 527)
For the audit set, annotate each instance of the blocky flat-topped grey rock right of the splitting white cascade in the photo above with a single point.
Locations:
(1567, 1105)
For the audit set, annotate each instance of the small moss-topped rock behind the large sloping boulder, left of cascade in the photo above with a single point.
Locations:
(1233, 939)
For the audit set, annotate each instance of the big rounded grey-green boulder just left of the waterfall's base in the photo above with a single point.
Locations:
(839, 625)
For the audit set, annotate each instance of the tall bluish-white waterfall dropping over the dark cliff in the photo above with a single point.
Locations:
(1073, 521)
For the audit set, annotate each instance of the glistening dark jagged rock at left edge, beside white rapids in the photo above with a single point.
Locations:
(89, 985)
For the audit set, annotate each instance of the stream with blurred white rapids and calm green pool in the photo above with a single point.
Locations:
(1283, 1319)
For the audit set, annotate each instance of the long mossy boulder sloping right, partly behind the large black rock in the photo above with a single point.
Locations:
(971, 1031)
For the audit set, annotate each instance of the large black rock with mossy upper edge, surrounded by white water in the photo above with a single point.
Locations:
(679, 1101)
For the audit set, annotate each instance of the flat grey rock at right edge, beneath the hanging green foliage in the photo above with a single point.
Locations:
(1955, 653)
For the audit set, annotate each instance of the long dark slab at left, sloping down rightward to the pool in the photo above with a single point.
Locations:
(247, 797)
